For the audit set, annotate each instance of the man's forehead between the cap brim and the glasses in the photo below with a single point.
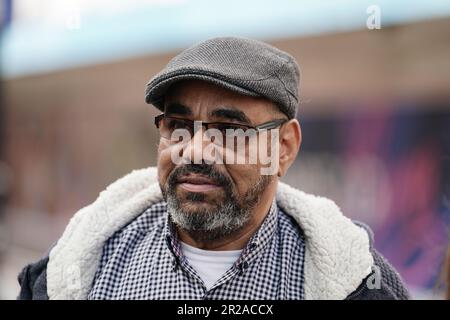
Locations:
(200, 95)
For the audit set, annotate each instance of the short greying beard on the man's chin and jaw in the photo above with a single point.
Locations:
(227, 219)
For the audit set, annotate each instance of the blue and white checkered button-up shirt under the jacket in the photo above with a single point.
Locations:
(144, 261)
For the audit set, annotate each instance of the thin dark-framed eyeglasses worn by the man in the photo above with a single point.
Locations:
(167, 125)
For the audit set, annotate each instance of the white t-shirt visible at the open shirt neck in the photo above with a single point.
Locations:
(210, 265)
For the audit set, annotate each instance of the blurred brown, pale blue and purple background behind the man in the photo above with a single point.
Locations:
(375, 112)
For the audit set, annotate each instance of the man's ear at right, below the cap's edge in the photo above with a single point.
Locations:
(290, 141)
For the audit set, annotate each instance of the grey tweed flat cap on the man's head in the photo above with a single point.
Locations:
(246, 66)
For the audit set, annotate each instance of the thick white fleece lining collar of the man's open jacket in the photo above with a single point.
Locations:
(337, 252)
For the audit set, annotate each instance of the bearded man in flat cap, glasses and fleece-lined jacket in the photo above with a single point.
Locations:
(213, 221)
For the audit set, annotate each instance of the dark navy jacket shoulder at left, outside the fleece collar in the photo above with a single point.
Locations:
(33, 281)
